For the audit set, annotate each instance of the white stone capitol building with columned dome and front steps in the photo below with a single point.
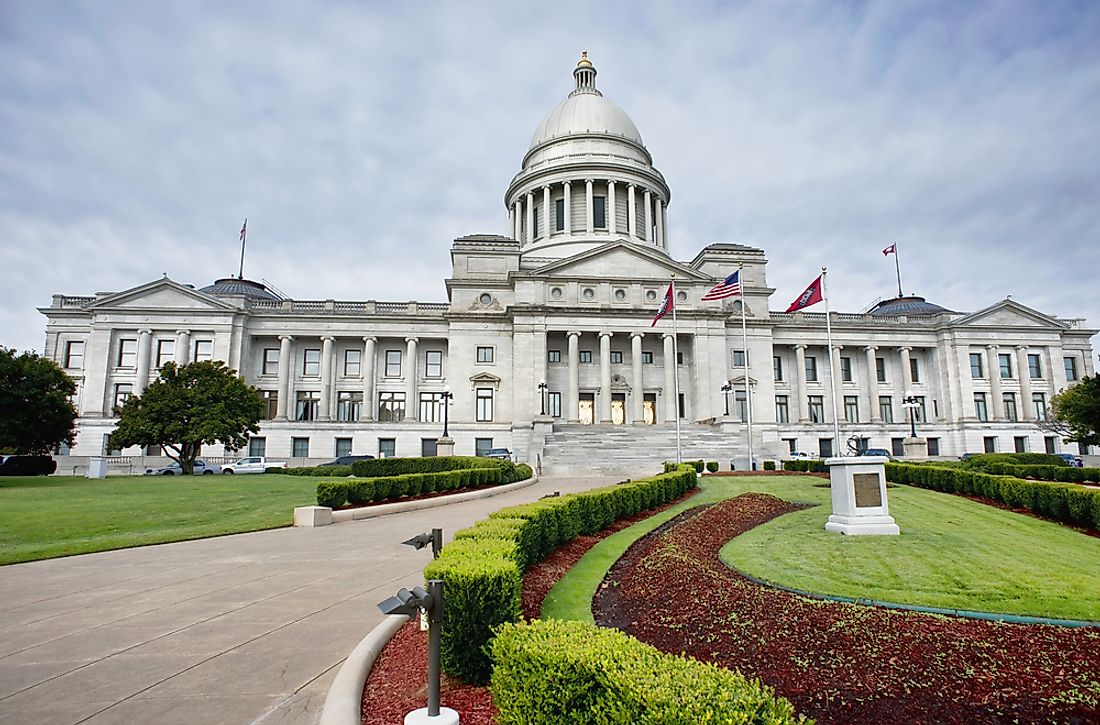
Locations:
(548, 346)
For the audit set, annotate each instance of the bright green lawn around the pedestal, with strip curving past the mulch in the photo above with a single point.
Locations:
(952, 554)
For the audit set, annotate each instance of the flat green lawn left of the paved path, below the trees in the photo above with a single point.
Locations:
(45, 518)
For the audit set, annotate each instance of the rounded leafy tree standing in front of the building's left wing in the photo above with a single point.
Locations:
(189, 407)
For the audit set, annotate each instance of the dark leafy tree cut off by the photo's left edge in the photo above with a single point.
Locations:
(37, 412)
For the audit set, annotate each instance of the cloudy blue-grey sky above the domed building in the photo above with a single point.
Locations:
(361, 138)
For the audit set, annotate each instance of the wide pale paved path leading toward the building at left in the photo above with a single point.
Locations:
(246, 629)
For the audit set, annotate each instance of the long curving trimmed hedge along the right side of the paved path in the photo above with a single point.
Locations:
(483, 580)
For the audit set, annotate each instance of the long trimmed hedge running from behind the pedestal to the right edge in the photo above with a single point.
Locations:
(1062, 502)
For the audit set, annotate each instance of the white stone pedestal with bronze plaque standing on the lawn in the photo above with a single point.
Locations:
(860, 497)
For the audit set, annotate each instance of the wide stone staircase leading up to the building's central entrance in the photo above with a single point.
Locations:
(632, 452)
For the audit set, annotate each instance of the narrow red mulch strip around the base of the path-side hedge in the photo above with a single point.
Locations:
(398, 684)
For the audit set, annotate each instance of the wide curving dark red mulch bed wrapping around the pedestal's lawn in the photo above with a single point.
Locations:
(843, 663)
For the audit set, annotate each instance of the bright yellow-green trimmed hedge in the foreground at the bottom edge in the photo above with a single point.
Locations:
(573, 673)
